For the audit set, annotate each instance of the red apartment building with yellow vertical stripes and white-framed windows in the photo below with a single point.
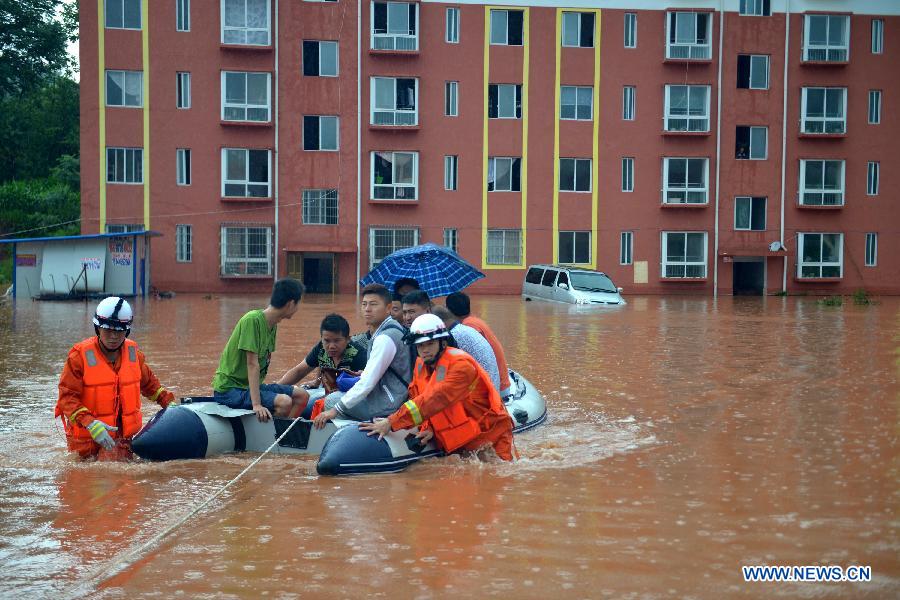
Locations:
(714, 147)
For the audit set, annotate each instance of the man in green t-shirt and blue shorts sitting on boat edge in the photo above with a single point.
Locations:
(245, 359)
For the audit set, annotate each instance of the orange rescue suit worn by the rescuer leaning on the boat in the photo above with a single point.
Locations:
(455, 398)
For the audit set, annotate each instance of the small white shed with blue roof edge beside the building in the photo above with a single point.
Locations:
(81, 266)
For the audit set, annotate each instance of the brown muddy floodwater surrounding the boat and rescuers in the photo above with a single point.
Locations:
(686, 438)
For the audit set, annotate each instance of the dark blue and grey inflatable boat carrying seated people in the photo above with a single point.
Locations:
(200, 427)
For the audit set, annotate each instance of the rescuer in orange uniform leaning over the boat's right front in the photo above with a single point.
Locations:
(451, 397)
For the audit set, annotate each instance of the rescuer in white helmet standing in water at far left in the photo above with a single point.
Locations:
(101, 386)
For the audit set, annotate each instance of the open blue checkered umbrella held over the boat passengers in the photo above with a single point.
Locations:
(438, 269)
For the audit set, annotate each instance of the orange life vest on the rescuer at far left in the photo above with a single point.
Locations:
(110, 396)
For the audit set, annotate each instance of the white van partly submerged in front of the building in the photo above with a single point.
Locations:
(571, 285)
